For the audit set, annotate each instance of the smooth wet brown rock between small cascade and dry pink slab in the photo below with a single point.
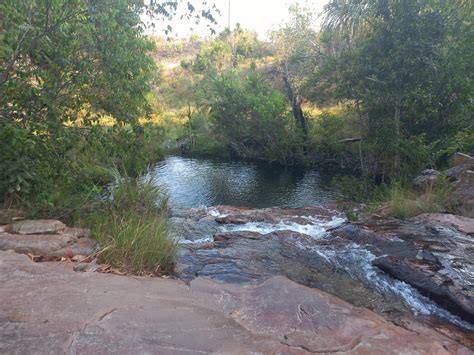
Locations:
(247, 258)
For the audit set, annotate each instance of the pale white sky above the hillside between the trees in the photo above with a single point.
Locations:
(257, 15)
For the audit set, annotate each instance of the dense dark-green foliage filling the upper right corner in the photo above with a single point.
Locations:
(408, 67)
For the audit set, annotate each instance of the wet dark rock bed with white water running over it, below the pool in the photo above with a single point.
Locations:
(420, 270)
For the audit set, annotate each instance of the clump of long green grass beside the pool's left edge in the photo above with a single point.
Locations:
(133, 228)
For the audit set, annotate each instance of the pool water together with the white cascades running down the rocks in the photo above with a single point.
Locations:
(202, 183)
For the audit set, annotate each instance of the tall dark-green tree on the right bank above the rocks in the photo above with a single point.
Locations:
(390, 66)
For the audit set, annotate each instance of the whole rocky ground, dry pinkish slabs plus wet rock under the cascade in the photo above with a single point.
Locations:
(249, 280)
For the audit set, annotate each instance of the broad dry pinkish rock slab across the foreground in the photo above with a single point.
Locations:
(48, 308)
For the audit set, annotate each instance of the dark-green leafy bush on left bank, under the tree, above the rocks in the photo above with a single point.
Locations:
(62, 180)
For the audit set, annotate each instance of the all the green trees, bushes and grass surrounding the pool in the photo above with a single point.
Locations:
(375, 91)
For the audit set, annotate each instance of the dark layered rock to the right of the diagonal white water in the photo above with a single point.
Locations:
(436, 260)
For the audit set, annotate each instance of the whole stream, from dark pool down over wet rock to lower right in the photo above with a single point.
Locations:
(279, 224)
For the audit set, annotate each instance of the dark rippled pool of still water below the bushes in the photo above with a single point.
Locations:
(192, 182)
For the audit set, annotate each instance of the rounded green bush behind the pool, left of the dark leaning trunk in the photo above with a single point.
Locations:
(253, 118)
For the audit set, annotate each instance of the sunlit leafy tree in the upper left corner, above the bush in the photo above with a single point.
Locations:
(64, 61)
